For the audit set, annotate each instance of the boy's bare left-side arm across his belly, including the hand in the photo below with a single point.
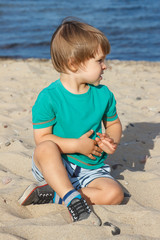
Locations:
(83, 145)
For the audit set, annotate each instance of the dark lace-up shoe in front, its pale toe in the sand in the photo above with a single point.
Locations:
(81, 212)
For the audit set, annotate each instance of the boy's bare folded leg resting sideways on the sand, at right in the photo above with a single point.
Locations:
(103, 191)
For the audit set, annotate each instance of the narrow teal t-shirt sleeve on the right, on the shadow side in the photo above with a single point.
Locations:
(111, 111)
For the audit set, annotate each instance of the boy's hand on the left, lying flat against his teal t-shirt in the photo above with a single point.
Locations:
(88, 146)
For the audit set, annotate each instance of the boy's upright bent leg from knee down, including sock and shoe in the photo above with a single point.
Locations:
(48, 159)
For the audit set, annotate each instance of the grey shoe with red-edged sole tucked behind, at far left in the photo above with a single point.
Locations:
(37, 193)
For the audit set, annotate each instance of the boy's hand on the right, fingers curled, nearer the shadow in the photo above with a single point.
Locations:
(106, 143)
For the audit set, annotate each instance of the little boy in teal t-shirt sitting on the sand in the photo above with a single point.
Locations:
(67, 121)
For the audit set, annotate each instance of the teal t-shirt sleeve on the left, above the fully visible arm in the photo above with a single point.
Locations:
(43, 114)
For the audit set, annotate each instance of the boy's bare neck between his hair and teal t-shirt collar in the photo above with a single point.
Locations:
(73, 84)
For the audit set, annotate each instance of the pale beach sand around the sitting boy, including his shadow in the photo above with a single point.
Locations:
(136, 164)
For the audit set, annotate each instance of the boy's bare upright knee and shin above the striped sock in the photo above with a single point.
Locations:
(47, 158)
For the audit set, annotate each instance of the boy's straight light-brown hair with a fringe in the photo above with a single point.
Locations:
(76, 41)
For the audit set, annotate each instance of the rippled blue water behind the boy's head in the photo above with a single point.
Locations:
(132, 26)
